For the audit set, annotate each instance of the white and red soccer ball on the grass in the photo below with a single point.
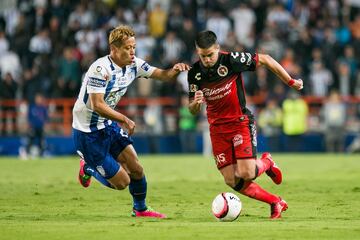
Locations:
(226, 207)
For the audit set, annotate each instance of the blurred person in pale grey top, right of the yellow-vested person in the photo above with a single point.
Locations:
(334, 115)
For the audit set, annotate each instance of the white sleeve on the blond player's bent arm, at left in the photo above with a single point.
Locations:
(98, 78)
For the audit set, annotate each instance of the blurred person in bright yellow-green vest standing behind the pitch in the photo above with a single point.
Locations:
(295, 114)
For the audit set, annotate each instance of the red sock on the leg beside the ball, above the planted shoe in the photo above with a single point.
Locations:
(251, 189)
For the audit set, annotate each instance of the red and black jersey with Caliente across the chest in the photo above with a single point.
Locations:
(222, 85)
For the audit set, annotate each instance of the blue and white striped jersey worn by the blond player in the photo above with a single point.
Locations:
(104, 76)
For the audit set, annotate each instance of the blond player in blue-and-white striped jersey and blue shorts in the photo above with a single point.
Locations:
(105, 148)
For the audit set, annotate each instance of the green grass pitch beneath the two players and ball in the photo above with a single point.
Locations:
(41, 199)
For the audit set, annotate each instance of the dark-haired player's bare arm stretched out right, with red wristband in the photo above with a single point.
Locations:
(275, 67)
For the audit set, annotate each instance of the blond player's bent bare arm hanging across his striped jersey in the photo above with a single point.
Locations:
(99, 106)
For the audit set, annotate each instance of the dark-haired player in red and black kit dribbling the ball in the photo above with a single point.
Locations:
(216, 79)
